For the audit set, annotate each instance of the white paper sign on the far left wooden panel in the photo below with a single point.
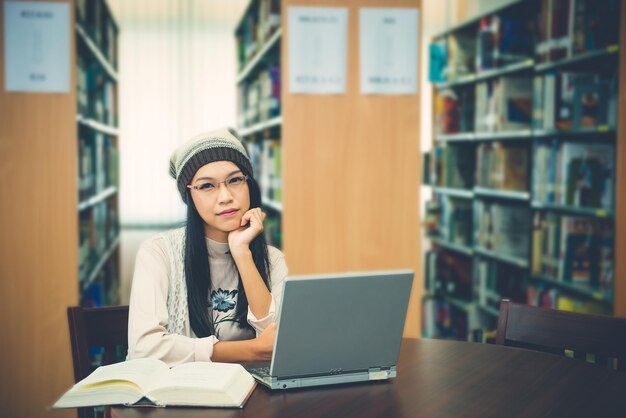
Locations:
(36, 47)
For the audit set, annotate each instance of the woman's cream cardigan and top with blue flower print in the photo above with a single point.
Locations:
(158, 324)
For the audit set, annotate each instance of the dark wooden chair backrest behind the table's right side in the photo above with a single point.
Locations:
(551, 330)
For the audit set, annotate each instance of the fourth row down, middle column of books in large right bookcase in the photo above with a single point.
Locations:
(502, 228)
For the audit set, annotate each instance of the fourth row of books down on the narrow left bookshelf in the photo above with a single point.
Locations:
(98, 228)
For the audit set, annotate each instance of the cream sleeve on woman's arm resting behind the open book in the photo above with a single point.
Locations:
(148, 316)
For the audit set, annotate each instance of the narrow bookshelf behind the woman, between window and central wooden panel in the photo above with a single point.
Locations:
(258, 36)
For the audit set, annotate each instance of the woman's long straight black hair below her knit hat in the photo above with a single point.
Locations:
(198, 273)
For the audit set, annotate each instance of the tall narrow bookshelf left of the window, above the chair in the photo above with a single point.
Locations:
(98, 153)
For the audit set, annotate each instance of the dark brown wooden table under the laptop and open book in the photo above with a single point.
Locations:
(444, 379)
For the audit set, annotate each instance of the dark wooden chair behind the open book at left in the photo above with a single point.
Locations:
(96, 328)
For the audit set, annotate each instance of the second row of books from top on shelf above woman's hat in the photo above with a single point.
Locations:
(258, 99)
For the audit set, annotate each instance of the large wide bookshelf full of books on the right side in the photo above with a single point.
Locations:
(526, 129)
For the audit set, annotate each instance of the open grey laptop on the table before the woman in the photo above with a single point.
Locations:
(338, 328)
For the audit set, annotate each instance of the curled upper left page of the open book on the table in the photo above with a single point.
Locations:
(142, 372)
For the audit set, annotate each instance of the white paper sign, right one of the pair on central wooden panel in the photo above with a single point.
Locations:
(388, 50)
